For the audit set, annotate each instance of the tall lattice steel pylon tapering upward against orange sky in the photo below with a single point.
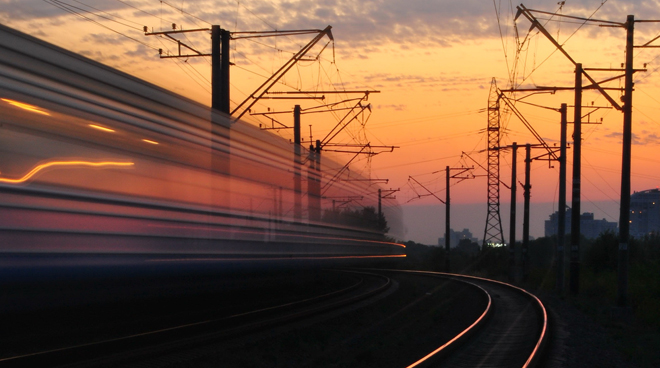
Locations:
(493, 231)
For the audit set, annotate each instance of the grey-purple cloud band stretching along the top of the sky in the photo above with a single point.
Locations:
(357, 25)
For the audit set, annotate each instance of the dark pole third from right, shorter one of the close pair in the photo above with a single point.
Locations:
(561, 214)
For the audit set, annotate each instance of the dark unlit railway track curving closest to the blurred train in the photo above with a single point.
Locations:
(144, 345)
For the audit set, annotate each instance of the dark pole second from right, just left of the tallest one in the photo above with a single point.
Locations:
(575, 210)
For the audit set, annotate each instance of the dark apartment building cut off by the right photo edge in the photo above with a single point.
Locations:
(645, 212)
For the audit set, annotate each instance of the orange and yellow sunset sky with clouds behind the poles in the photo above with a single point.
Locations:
(432, 62)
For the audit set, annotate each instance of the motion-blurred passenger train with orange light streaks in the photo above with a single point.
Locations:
(96, 162)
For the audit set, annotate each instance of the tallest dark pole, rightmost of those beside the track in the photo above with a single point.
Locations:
(624, 215)
